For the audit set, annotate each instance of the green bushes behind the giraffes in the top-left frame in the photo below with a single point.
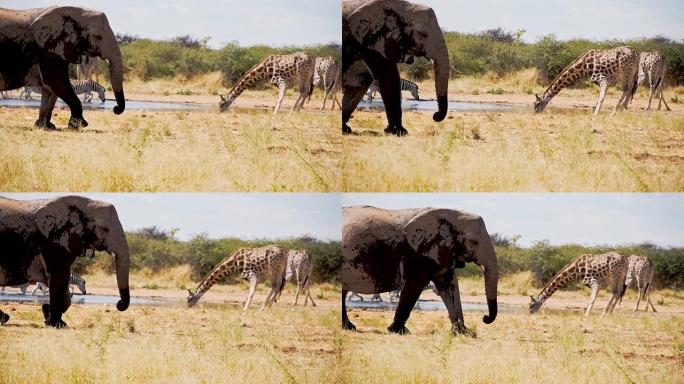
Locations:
(188, 57)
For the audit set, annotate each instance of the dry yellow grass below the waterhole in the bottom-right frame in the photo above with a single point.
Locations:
(517, 348)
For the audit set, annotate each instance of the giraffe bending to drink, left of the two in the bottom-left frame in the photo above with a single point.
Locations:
(254, 265)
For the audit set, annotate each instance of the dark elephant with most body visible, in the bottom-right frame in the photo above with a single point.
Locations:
(384, 250)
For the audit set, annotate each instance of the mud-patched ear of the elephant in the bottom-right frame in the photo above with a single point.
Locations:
(431, 234)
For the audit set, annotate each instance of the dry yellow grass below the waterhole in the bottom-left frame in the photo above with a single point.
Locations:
(173, 345)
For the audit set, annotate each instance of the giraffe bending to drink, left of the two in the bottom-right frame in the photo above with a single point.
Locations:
(596, 272)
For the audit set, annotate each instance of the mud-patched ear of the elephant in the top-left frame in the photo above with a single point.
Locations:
(58, 31)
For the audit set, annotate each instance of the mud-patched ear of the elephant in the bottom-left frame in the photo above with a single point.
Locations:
(61, 224)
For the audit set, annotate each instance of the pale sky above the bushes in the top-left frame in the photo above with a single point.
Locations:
(272, 22)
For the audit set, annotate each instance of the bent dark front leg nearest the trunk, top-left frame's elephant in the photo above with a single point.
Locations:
(55, 74)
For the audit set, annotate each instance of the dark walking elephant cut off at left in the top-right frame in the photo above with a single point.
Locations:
(376, 36)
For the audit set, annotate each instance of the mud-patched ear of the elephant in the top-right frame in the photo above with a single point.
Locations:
(377, 26)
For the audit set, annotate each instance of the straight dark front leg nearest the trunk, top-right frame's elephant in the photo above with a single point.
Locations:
(387, 74)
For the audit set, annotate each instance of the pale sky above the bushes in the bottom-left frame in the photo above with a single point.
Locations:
(243, 215)
